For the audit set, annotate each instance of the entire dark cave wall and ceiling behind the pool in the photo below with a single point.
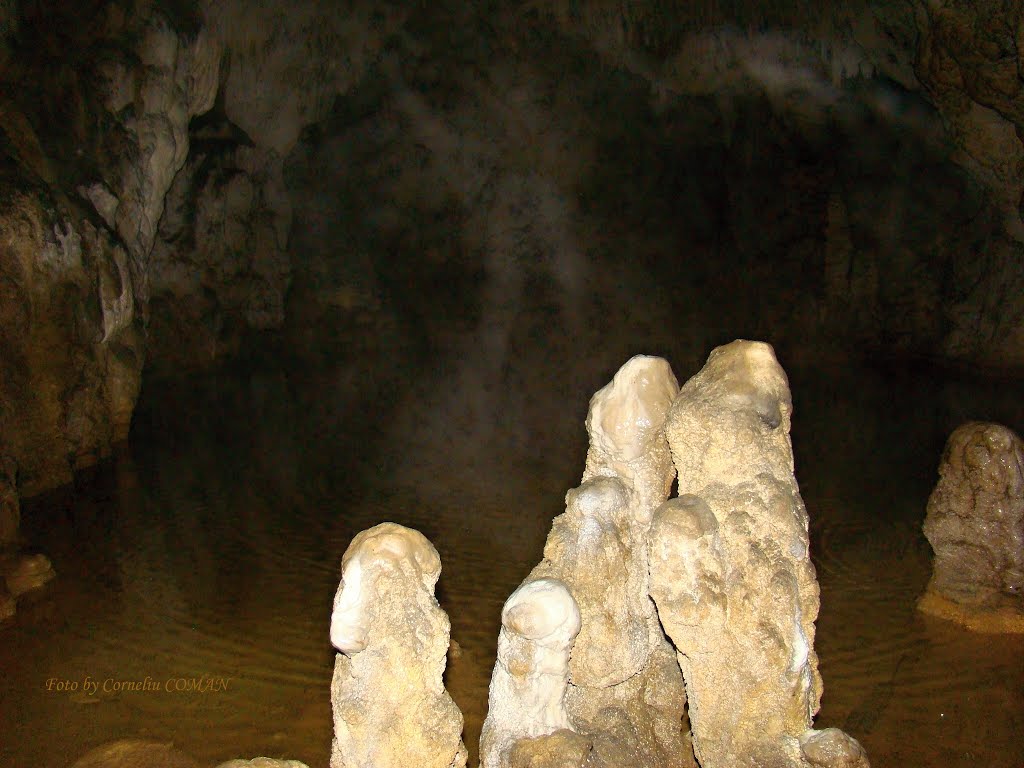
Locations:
(488, 191)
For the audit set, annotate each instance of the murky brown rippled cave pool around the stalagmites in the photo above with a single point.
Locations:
(208, 551)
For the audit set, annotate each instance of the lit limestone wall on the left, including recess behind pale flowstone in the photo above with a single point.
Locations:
(120, 240)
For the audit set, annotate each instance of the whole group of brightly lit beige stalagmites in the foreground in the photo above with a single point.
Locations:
(641, 604)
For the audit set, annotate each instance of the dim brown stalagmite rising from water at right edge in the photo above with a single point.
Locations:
(975, 524)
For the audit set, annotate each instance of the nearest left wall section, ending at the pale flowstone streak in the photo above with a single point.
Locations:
(94, 140)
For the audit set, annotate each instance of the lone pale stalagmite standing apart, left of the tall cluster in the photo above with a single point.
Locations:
(390, 702)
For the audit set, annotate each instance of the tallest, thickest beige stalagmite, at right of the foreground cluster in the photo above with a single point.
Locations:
(731, 572)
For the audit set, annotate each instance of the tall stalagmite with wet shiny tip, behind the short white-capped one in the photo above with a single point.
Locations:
(625, 693)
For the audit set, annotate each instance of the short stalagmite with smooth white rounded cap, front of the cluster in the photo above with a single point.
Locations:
(540, 622)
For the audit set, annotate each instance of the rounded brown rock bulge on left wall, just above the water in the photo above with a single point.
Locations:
(72, 343)
